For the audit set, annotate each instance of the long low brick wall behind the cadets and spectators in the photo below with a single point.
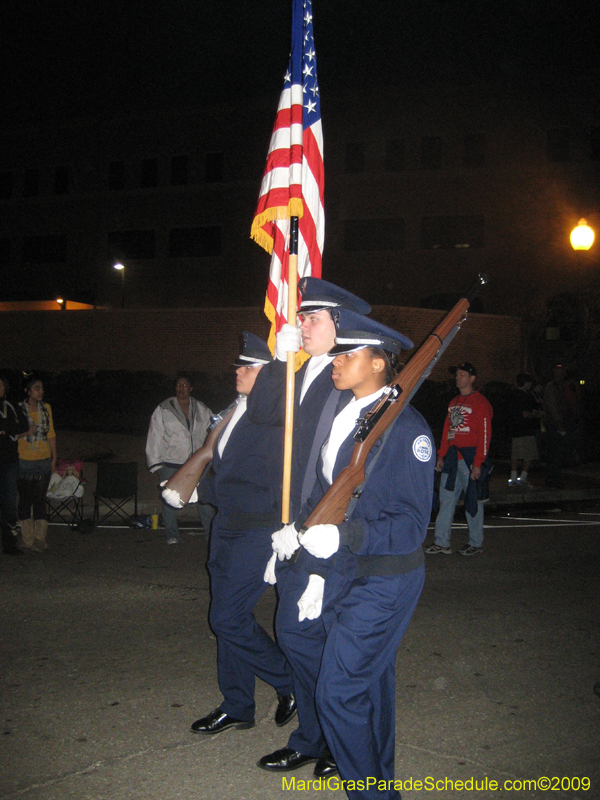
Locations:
(207, 339)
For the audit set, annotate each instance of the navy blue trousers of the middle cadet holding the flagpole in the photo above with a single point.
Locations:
(302, 643)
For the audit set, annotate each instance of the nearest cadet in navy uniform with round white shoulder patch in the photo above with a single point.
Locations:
(368, 572)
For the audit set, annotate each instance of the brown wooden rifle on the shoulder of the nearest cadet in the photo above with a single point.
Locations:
(348, 484)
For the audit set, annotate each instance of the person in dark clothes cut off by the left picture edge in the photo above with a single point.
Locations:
(13, 422)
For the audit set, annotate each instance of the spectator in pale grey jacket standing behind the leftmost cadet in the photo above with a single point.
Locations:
(178, 428)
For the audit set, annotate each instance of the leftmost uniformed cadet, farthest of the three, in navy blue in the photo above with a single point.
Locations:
(245, 486)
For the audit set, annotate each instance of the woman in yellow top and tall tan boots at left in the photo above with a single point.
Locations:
(37, 462)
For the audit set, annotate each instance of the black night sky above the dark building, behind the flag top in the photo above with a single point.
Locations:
(81, 57)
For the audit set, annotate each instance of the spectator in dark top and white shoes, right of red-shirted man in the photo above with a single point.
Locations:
(524, 429)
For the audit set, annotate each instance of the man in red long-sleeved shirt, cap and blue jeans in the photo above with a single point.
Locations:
(463, 461)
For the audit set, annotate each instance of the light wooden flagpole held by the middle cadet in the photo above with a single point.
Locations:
(290, 373)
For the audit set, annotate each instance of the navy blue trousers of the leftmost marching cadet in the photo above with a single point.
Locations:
(236, 565)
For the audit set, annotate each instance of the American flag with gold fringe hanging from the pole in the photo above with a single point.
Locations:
(293, 181)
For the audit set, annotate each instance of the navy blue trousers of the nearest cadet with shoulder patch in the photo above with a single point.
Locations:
(366, 619)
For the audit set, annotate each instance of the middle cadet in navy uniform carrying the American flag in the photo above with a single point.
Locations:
(314, 409)
